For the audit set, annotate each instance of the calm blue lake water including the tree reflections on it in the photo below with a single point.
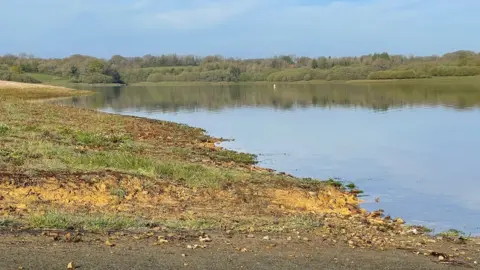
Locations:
(417, 147)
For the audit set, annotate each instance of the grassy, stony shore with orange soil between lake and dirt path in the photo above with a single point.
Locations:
(89, 171)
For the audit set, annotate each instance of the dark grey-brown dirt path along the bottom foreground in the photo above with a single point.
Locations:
(238, 252)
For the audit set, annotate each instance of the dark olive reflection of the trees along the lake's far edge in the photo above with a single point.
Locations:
(379, 97)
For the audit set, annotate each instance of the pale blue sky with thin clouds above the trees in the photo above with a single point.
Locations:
(238, 28)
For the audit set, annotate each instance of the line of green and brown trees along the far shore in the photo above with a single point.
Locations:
(150, 68)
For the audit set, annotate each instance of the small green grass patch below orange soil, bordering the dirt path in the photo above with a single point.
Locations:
(90, 222)
